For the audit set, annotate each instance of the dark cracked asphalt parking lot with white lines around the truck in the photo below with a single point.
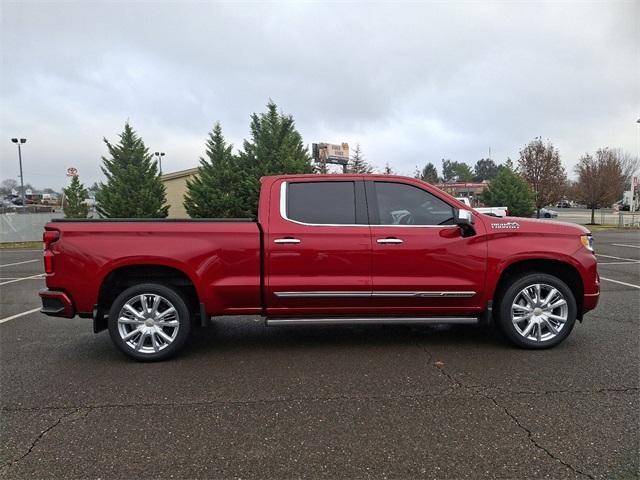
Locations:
(249, 401)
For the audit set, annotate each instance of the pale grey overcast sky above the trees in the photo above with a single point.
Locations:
(411, 82)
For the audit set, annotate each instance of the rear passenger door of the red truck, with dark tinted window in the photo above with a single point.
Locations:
(318, 248)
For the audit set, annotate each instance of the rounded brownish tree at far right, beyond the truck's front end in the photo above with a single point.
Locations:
(600, 179)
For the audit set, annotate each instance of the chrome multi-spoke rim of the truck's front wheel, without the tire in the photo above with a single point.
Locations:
(539, 312)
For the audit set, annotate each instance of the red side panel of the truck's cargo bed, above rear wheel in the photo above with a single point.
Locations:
(221, 257)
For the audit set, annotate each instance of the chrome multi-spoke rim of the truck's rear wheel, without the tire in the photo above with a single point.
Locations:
(148, 323)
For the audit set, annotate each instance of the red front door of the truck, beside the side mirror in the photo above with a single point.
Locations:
(421, 262)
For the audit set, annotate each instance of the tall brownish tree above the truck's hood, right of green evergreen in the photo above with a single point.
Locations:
(540, 166)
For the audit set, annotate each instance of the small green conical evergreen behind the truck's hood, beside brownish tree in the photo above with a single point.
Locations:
(510, 190)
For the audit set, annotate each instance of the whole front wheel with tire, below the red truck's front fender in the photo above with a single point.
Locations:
(537, 311)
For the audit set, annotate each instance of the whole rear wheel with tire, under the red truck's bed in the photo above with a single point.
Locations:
(149, 322)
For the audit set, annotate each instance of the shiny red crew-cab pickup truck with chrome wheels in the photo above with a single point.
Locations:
(326, 249)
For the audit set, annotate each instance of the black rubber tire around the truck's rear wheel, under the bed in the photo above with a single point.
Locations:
(170, 298)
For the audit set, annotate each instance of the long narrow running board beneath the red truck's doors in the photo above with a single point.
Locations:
(372, 321)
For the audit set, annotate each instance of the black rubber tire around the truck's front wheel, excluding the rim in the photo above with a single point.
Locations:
(507, 298)
